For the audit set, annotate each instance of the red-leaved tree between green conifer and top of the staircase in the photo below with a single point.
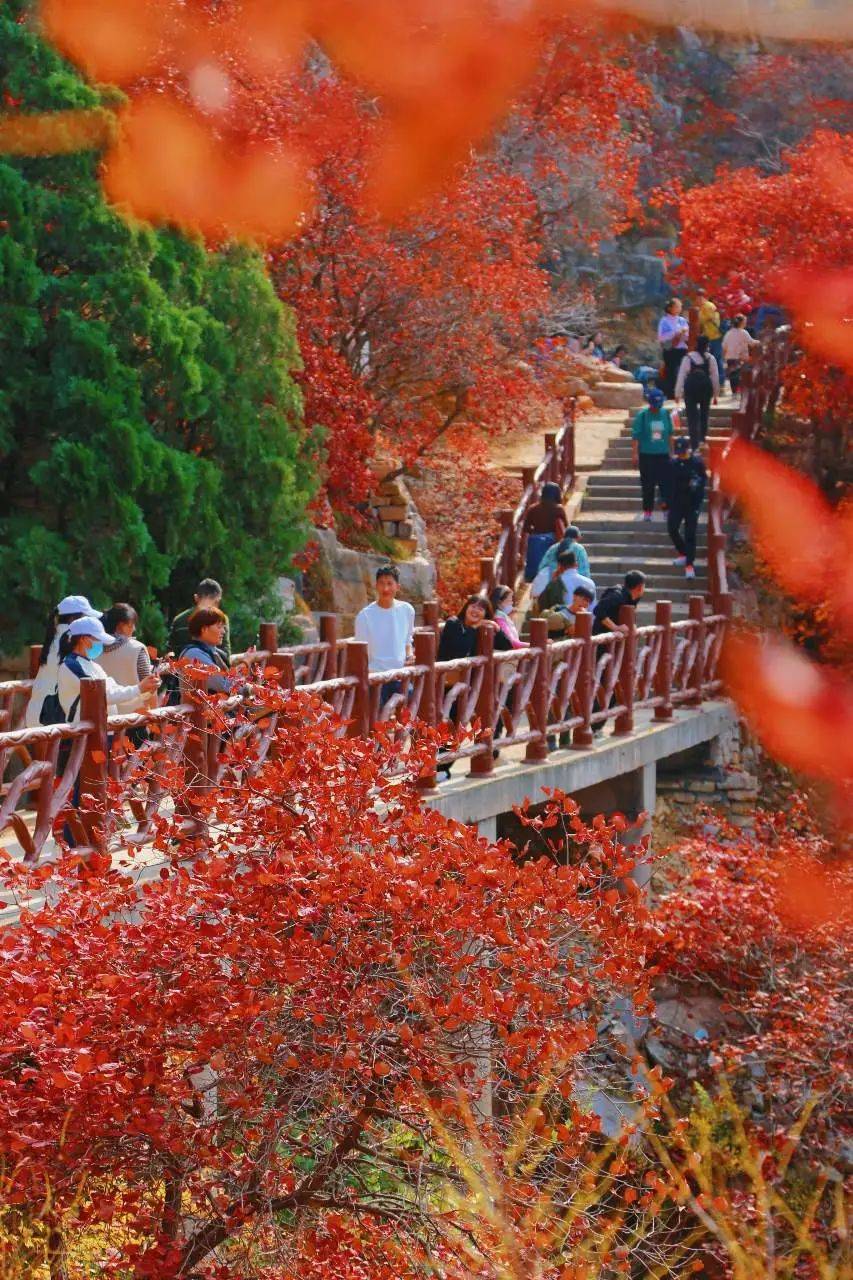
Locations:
(436, 318)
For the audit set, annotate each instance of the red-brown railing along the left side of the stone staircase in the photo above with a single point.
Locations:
(558, 467)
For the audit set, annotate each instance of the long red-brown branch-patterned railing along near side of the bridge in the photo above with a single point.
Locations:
(527, 698)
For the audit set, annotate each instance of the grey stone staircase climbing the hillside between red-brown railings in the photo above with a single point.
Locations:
(618, 540)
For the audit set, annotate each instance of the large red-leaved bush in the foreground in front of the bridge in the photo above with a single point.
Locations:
(230, 1055)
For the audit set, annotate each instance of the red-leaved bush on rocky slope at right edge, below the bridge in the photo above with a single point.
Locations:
(747, 930)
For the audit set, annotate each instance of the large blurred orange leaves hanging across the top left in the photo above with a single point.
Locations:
(441, 85)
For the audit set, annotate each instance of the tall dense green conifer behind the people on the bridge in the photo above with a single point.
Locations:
(150, 429)
